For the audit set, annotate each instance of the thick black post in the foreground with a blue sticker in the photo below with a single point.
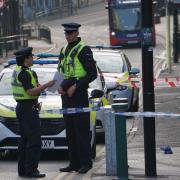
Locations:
(148, 87)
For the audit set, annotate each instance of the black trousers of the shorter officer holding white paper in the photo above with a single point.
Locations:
(29, 148)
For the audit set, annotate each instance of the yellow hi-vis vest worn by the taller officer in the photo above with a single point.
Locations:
(70, 65)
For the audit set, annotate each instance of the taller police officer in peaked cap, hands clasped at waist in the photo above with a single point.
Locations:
(79, 69)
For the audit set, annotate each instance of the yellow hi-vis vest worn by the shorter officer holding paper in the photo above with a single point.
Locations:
(19, 92)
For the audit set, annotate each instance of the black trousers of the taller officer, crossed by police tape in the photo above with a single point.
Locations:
(78, 130)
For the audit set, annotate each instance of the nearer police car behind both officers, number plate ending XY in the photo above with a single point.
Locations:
(52, 123)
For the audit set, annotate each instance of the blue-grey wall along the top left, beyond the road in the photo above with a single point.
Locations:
(39, 8)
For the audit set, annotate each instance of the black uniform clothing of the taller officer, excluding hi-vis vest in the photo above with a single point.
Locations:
(78, 125)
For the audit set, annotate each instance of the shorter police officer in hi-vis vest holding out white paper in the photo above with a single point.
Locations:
(26, 90)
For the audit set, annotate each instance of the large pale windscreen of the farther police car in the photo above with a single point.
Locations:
(109, 63)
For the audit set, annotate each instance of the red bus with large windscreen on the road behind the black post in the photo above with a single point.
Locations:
(125, 22)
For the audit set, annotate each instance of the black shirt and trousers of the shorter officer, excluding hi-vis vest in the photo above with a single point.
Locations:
(29, 147)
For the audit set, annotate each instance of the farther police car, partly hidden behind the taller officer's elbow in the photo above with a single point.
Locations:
(117, 71)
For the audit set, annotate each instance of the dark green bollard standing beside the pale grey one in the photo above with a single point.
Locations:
(121, 140)
